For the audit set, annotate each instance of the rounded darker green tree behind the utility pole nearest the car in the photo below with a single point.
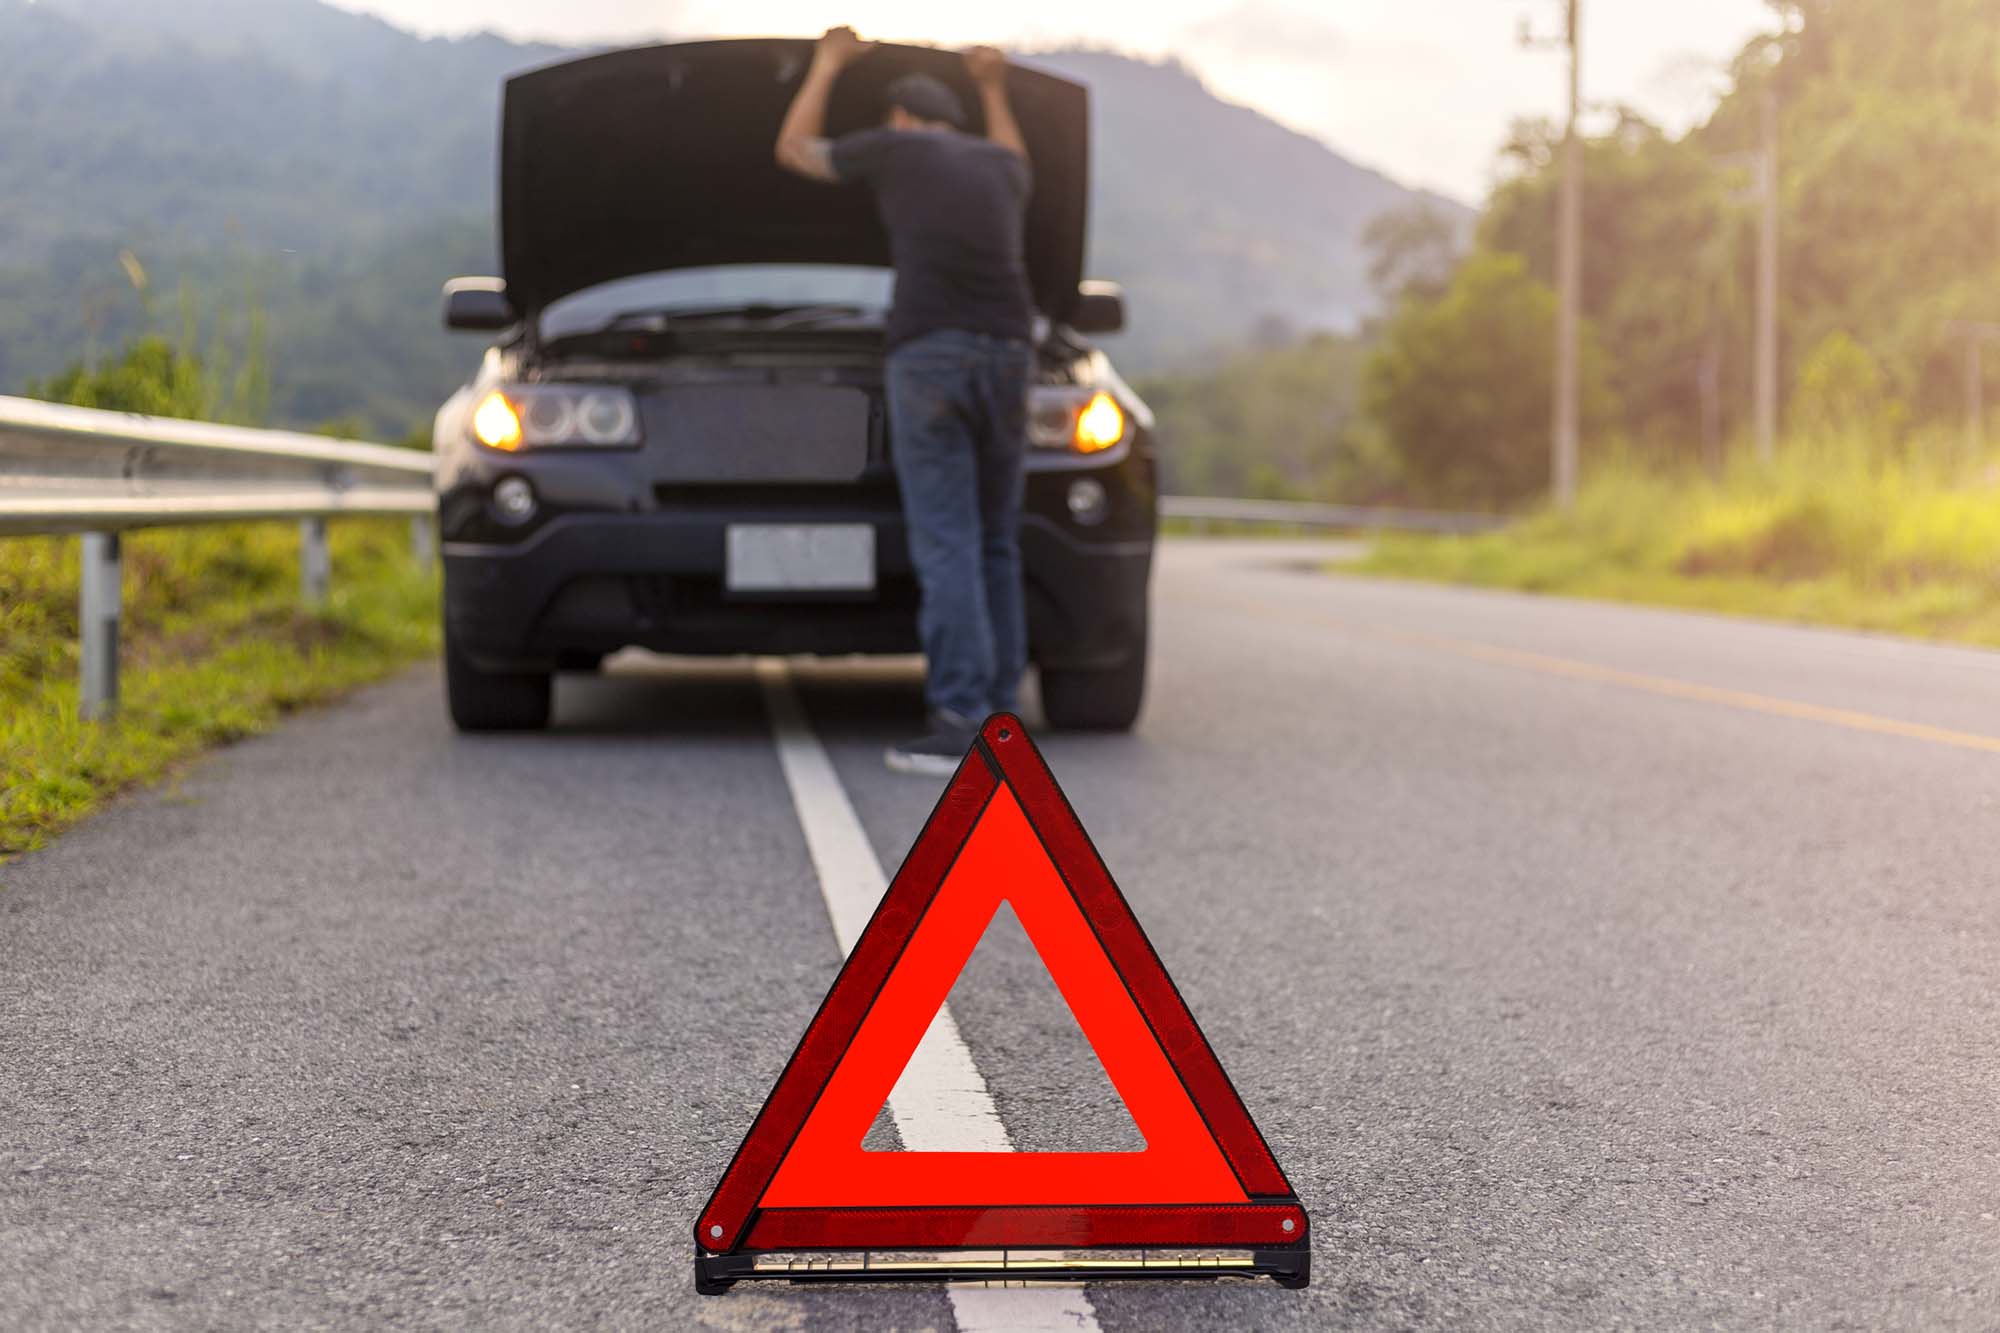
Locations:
(1463, 385)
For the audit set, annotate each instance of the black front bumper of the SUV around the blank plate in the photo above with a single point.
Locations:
(589, 583)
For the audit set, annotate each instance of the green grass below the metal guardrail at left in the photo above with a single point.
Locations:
(217, 647)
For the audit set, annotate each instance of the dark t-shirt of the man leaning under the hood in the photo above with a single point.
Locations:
(953, 207)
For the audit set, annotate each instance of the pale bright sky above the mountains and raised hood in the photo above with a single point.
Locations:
(1419, 89)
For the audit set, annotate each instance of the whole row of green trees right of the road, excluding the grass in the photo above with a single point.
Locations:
(1445, 401)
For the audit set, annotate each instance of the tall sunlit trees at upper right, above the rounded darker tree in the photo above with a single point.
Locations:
(1889, 151)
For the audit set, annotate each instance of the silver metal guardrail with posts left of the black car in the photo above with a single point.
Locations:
(67, 469)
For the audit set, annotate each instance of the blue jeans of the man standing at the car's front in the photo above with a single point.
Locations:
(959, 435)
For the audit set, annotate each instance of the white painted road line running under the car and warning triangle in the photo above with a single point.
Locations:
(941, 1104)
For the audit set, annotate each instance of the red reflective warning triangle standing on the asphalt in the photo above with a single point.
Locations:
(1001, 834)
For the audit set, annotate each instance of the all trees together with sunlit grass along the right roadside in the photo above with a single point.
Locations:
(1871, 517)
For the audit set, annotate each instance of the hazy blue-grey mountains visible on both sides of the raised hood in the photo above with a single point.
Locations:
(333, 171)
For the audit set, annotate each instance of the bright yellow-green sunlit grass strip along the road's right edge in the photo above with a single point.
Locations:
(1829, 535)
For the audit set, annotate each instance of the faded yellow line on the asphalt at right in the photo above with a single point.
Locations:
(1669, 688)
